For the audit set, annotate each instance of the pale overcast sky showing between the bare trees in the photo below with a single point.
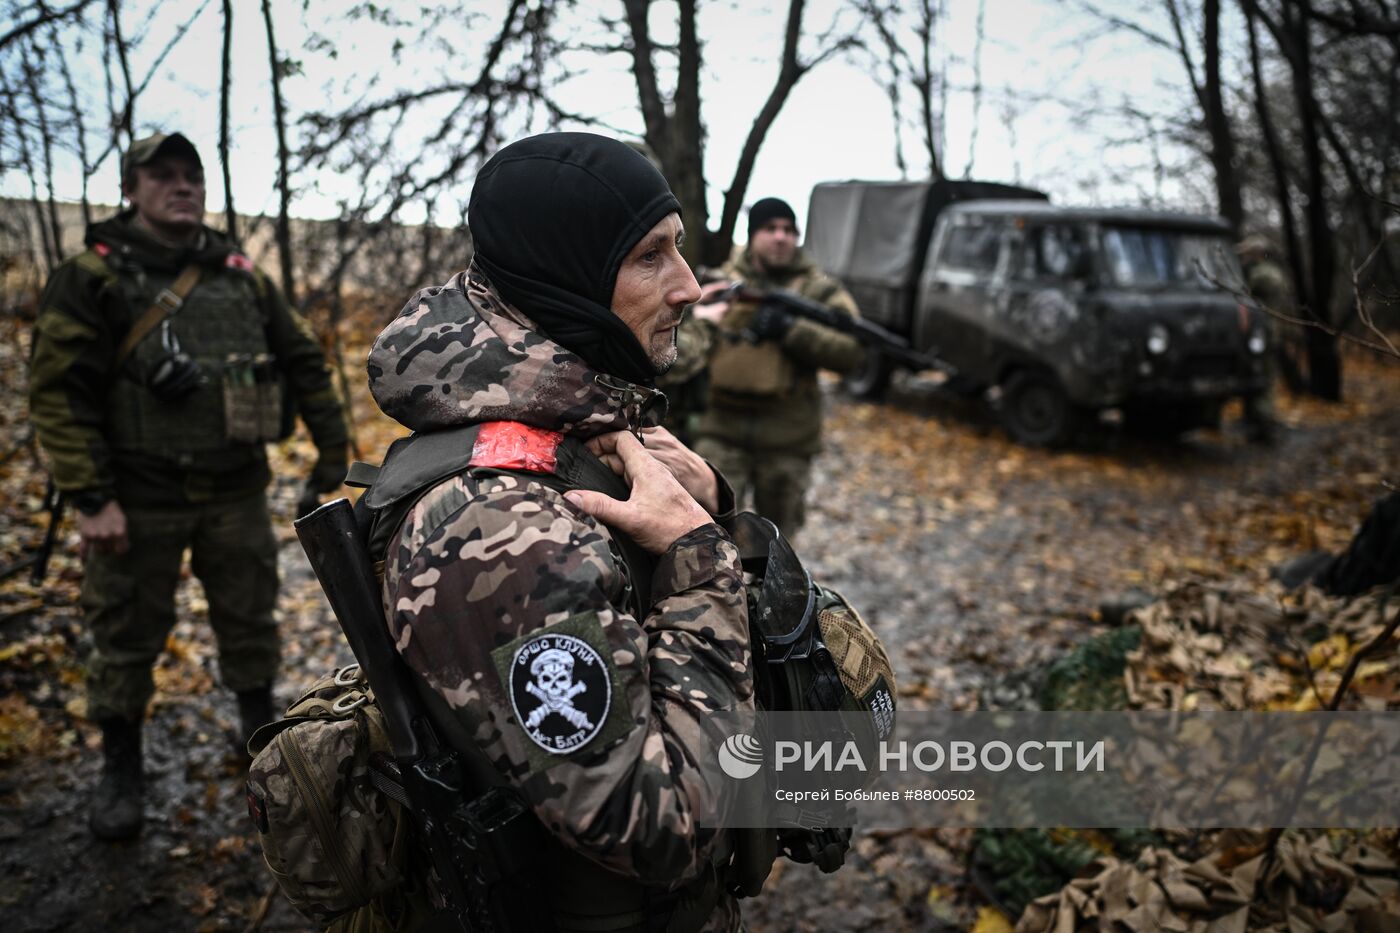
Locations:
(1044, 62)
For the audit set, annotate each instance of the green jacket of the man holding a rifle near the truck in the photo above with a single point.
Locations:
(792, 420)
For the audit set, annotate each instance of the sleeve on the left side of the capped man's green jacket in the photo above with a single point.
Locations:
(75, 338)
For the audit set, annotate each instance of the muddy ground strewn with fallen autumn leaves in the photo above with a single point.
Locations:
(972, 557)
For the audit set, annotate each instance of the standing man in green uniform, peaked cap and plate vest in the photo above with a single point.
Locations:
(163, 361)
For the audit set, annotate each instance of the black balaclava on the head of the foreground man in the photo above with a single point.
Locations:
(552, 219)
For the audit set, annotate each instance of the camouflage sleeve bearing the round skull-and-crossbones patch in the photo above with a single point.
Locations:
(492, 572)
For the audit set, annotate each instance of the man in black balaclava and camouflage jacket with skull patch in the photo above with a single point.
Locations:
(586, 676)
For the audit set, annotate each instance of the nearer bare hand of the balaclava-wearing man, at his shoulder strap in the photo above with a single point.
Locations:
(659, 511)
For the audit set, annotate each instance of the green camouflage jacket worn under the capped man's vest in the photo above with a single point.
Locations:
(85, 315)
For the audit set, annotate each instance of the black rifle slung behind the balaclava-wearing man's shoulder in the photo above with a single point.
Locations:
(482, 845)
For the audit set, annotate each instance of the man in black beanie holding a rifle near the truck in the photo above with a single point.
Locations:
(764, 422)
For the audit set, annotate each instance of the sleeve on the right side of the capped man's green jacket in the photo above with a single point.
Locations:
(302, 359)
